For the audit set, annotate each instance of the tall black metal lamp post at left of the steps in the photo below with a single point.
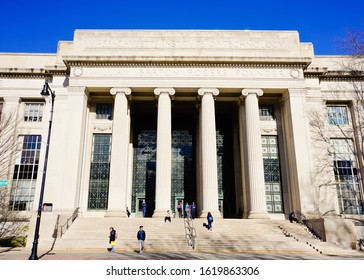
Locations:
(45, 92)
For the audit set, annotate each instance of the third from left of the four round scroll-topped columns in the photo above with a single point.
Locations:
(208, 152)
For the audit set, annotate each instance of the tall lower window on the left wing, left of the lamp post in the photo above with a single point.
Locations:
(25, 173)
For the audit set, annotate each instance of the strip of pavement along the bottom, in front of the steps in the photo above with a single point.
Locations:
(123, 254)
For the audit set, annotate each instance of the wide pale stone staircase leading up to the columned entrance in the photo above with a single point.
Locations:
(276, 236)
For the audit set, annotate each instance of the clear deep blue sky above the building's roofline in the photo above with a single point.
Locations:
(37, 26)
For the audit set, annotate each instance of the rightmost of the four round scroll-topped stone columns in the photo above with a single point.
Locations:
(258, 208)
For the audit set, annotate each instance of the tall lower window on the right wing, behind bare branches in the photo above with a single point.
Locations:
(346, 177)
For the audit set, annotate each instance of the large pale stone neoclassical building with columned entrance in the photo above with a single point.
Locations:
(224, 119)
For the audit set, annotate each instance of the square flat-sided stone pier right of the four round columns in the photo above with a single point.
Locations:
(297, 139)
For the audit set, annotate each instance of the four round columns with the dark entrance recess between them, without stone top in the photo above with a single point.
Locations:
(160, 171)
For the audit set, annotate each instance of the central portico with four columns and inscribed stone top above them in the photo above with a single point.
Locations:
(185, 122)
